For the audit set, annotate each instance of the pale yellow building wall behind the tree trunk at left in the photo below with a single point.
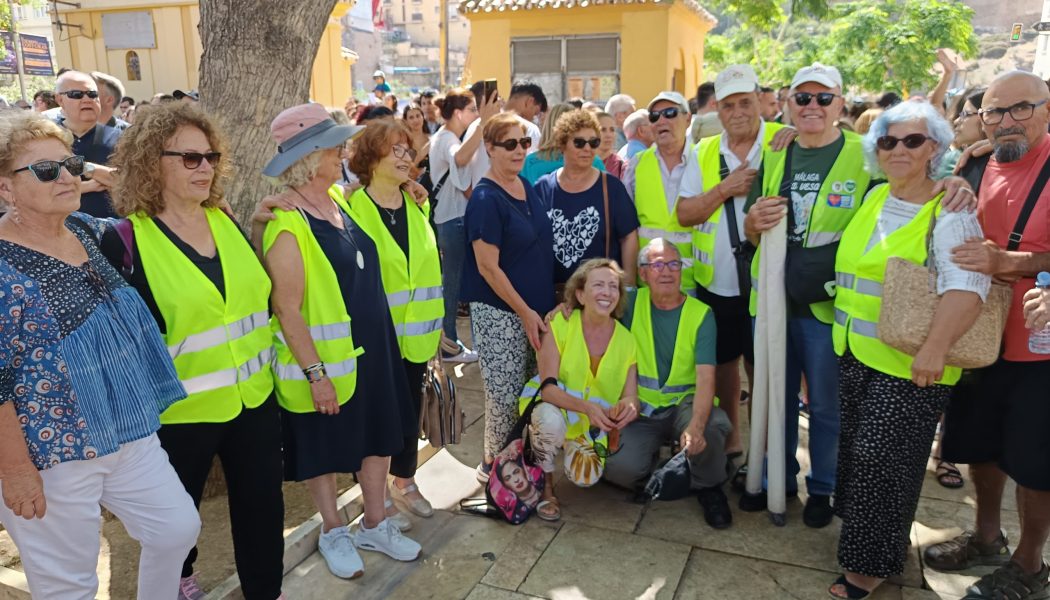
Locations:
(174, 65)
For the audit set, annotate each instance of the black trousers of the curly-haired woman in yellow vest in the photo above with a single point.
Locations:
(250, 450)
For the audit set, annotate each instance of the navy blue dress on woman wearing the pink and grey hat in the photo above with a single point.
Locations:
(380, 418)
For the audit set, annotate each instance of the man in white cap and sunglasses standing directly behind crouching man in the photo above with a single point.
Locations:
(653, 180)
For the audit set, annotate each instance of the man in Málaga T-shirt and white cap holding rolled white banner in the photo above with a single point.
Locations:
(818, 182)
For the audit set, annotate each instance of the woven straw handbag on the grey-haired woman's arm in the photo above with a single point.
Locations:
(910, 300)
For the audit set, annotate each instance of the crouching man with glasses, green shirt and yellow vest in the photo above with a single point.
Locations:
(677, 338)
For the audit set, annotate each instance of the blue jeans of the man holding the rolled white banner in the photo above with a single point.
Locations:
(811, 351)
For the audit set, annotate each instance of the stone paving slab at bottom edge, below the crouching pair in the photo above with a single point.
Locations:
(596, 563)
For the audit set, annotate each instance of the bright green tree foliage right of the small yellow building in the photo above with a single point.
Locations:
(876, 45)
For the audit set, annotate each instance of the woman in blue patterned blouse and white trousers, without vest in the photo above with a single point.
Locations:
(85, 377)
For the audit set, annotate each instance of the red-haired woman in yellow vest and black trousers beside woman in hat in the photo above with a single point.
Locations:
(384, 157)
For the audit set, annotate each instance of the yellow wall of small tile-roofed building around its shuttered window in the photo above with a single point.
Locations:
(643, 73)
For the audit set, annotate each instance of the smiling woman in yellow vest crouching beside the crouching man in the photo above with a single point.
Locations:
(593, 357)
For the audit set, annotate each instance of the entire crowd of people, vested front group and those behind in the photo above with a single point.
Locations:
(605, 257)
